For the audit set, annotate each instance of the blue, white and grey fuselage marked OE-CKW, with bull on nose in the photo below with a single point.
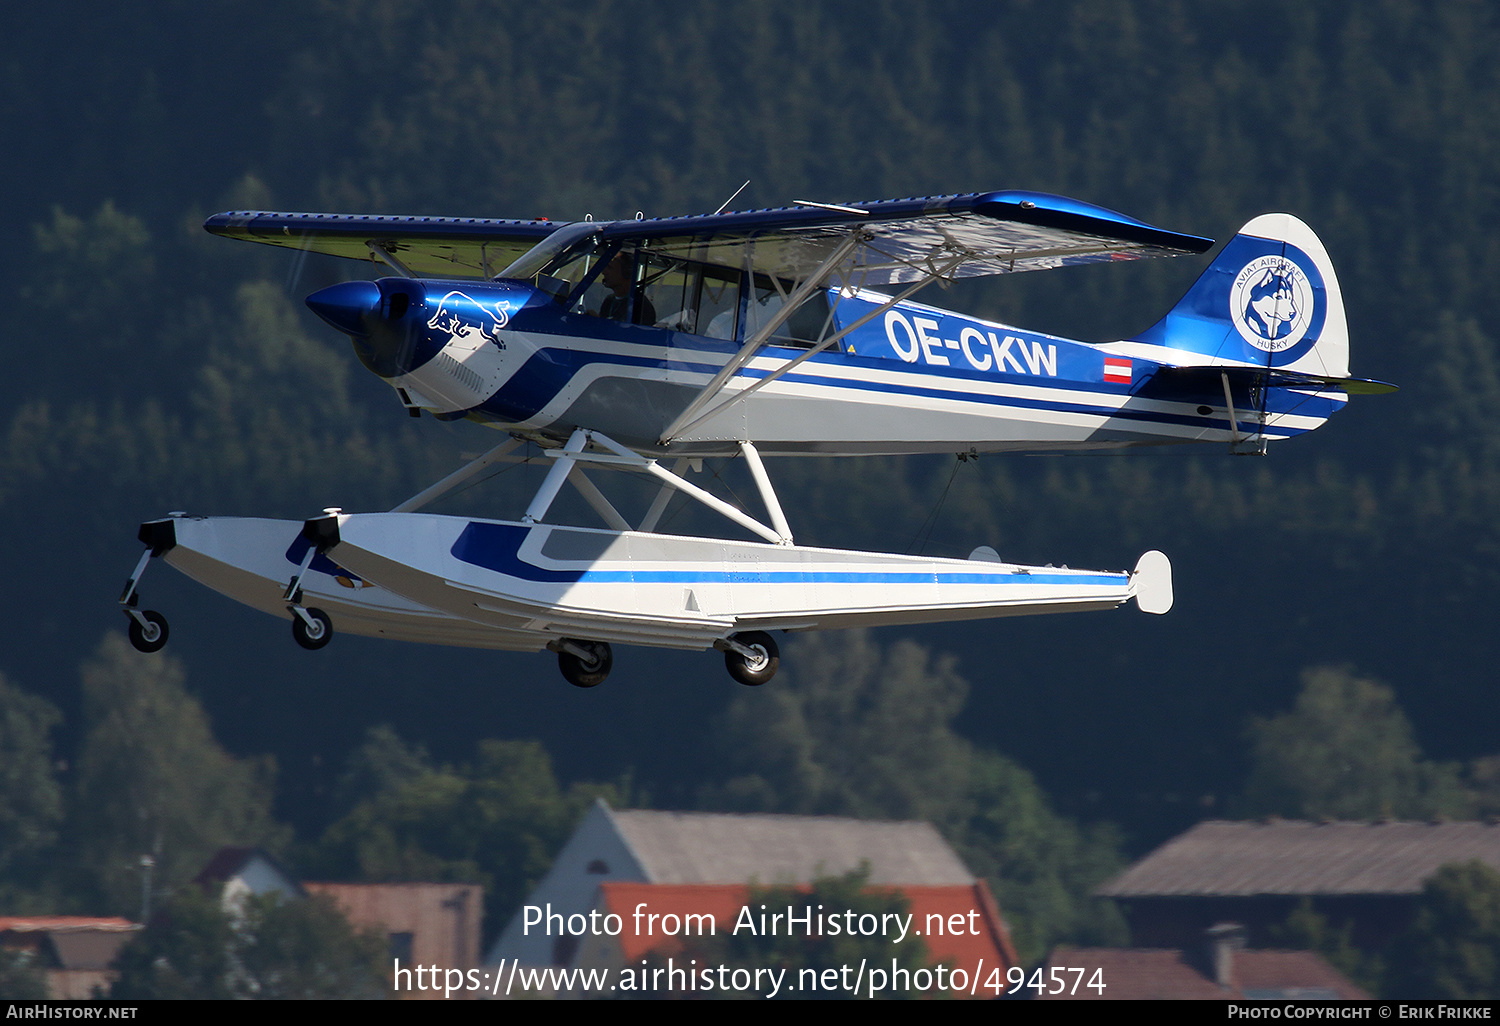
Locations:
(913, 380)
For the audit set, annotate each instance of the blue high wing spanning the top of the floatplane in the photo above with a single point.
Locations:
(893, 241)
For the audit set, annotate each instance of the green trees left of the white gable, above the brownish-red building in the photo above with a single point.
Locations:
(497, 821)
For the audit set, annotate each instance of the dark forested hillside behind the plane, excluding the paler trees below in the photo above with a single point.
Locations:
(154, 368)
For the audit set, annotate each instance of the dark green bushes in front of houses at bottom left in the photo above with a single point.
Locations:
(271, 949)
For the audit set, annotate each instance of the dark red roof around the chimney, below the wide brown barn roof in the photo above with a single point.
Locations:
(1150, 974)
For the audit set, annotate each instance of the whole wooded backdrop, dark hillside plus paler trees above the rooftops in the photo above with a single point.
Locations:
(1333, 647)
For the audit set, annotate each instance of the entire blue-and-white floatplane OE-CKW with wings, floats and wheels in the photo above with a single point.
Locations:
(767, 334)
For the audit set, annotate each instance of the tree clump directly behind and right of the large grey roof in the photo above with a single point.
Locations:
(854, 730)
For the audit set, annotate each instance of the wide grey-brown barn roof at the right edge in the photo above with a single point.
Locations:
(1303, 859)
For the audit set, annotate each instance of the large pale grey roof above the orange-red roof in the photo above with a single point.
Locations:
(721, 848)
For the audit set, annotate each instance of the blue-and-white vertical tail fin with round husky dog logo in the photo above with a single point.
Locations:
(1270, 299)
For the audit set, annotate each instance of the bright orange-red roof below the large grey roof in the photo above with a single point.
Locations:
(724, 902)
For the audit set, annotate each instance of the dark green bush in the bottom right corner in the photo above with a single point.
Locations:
(1453, 950)
